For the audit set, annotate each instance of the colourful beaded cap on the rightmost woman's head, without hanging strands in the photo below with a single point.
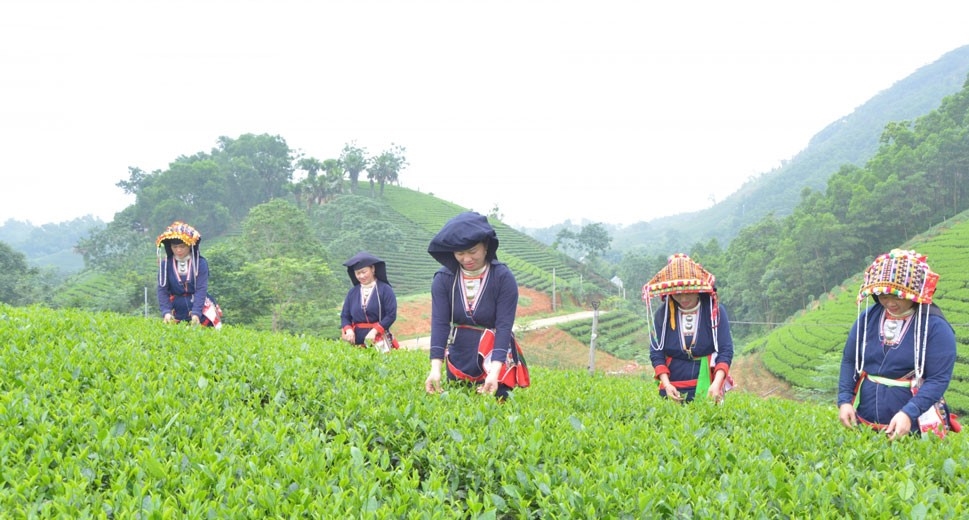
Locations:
(902, 273)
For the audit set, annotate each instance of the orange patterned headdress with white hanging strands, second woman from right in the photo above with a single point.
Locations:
(680, 275)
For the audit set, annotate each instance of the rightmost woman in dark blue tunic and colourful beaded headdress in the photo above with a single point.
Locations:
(900, 353)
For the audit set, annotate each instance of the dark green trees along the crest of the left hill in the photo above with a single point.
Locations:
(217, 189)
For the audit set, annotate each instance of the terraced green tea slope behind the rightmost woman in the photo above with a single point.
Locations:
(806, 351)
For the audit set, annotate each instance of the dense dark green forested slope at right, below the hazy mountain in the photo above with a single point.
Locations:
(776, 266)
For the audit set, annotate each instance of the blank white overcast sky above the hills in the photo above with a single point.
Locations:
(611, 111)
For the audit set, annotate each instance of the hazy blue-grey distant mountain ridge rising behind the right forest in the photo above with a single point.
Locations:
(852, 139)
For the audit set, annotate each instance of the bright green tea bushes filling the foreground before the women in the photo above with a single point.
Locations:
(130, 418)
